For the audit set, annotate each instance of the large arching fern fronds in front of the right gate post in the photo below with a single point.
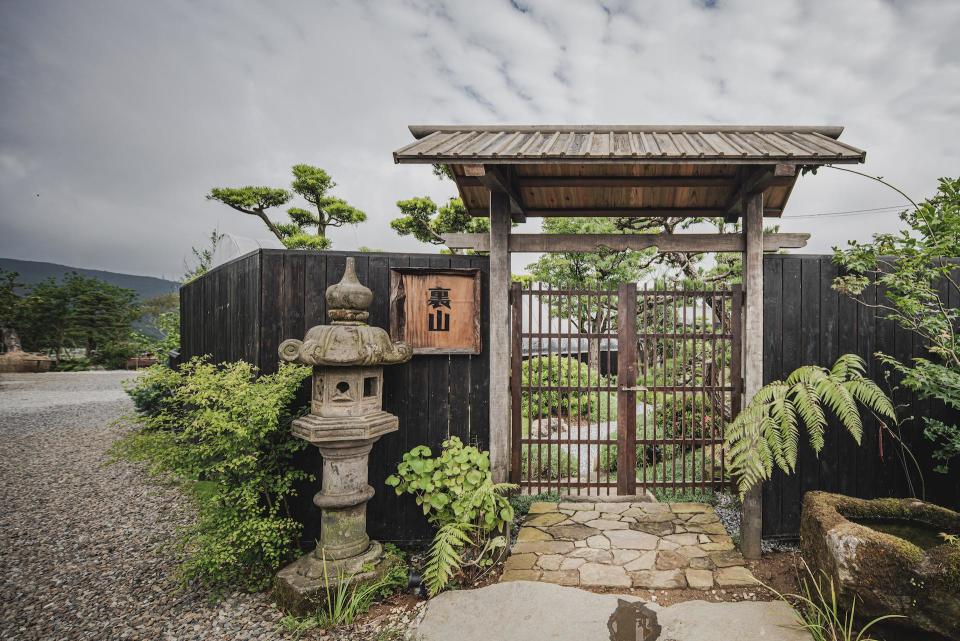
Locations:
(766, 432)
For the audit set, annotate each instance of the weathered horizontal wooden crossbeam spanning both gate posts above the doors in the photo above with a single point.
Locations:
(570, 243)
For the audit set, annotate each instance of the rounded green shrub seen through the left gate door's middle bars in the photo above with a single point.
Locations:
(557, 371)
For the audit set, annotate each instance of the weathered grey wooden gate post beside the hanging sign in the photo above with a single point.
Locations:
(499, 340)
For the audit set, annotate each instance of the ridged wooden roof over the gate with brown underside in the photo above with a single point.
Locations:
(627, 170)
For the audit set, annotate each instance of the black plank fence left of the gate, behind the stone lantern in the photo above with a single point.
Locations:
(245, 308)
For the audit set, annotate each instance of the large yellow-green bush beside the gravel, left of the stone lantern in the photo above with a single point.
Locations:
(225, 433)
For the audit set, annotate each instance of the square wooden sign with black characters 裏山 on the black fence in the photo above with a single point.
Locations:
(436, 311)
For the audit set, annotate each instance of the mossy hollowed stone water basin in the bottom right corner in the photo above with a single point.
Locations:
(886, 574)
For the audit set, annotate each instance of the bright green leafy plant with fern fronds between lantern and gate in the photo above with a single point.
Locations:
(458, 496)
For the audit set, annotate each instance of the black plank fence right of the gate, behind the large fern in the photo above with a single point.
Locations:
(806, 322)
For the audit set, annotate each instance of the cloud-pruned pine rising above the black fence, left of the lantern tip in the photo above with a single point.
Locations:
(307, 228)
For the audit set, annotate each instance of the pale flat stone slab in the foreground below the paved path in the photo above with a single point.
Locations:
(529, 611)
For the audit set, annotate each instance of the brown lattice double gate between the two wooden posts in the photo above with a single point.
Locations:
(584, 363)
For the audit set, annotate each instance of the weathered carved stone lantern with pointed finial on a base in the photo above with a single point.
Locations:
(346, 418)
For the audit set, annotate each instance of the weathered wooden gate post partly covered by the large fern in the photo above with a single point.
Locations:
(750, 521)
